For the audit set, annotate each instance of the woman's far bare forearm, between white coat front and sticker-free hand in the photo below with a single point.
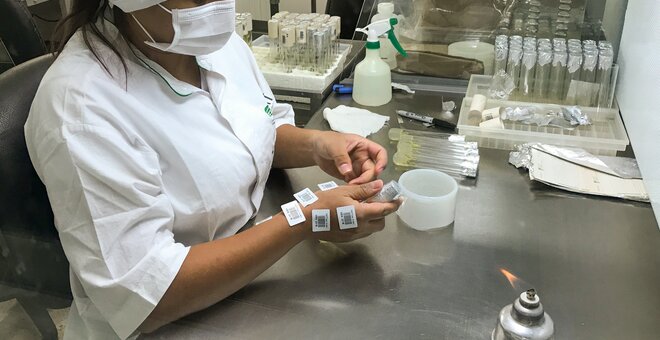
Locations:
(294, 147)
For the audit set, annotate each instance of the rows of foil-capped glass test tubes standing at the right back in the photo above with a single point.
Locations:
(557, 71)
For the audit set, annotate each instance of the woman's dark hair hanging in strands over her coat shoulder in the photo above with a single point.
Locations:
(84, 16)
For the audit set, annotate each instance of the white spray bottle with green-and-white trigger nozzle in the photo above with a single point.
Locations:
(373, 81)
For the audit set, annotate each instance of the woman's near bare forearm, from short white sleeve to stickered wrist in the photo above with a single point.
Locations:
(214, 270)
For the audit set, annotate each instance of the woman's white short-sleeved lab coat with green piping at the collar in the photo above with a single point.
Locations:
(141, 166)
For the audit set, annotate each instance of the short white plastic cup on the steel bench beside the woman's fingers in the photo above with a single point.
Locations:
(430, 199)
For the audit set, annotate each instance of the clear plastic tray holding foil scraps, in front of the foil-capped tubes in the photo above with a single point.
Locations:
(606, 136)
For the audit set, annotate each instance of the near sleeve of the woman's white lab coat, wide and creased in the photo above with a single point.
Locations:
(114, 220)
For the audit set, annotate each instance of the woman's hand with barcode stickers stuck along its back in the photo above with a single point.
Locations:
(370, 216)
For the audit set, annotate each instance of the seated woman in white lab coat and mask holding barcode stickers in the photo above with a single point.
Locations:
(154, 133)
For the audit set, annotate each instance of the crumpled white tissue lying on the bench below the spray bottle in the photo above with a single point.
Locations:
(348, 119)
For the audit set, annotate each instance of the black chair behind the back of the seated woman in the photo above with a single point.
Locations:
(33, 267)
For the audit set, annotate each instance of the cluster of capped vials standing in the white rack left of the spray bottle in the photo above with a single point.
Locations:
(304, 41)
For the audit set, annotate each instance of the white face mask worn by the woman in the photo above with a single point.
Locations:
(199, 30)
